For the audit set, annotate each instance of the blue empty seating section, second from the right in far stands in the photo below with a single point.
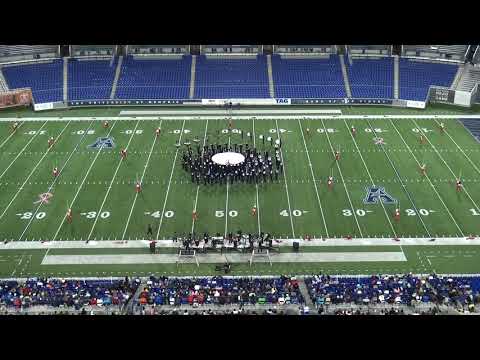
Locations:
(371, 78)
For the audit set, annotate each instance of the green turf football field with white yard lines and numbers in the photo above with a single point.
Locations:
(100, 188)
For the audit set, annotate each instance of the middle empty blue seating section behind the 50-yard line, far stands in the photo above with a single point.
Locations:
(231, 78)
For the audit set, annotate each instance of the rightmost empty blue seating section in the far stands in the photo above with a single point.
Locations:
(416, 78)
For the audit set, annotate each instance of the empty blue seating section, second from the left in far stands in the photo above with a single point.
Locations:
(90, 79)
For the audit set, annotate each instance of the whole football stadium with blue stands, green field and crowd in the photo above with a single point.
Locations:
(239, 179)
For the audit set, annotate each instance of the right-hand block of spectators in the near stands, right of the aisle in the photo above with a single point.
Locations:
(399, 289)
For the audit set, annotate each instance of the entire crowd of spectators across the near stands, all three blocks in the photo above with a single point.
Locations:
(217, 295)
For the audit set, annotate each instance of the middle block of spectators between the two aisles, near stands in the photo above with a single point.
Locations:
(221, 291)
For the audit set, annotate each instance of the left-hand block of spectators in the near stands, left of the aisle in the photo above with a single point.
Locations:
(61, 293)
